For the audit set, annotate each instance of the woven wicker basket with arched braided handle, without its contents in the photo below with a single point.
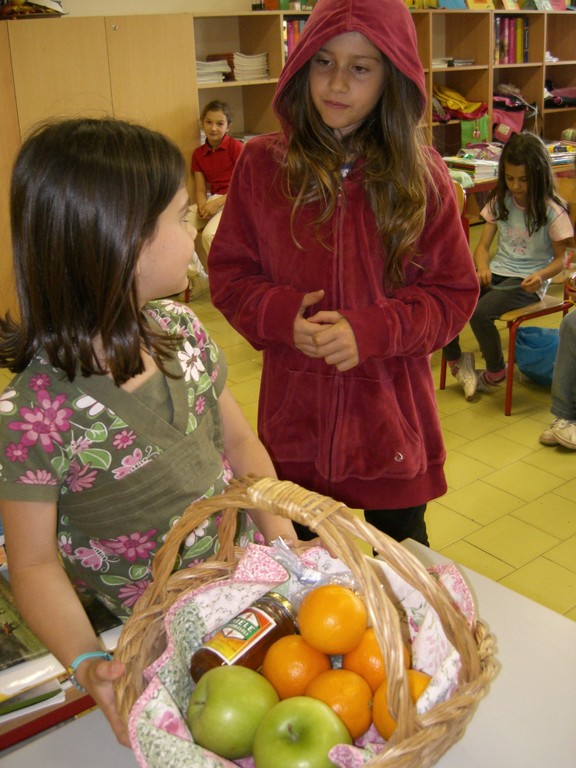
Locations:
(419, 740)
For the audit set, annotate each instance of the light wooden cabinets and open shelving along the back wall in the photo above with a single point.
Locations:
(142, 67)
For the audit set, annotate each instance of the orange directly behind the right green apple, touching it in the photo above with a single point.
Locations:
(348, 694)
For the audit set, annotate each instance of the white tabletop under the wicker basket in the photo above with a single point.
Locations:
(527, 719)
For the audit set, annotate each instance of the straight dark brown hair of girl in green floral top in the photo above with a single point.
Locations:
(86, 196)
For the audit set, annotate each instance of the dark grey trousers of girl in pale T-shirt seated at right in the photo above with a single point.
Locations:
(491, 305)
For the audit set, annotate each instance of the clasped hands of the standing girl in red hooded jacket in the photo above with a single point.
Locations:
(326, 334)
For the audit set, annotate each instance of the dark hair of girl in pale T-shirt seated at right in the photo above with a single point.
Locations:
(528, 150)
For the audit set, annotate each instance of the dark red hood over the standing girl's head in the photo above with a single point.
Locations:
(386, 23)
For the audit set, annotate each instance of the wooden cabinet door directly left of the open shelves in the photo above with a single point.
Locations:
(152, 71)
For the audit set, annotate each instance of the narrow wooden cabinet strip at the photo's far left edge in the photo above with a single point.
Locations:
(9, 144)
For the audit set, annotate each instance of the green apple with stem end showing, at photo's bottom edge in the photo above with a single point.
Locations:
(298, 733)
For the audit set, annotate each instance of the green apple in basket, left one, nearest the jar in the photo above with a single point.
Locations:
(226, 708)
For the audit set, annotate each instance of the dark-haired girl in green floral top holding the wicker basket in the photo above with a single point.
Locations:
(118, 416)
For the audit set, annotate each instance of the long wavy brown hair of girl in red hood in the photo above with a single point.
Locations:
(390, 145)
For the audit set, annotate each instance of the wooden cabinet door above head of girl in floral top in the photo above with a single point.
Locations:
(60, 69)
